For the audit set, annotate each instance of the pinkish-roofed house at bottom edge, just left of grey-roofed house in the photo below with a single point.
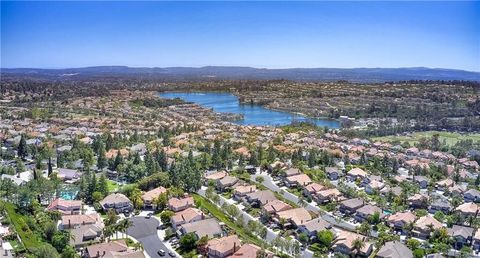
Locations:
(344, 244)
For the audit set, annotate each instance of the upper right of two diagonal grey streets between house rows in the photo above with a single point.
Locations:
(268, 182)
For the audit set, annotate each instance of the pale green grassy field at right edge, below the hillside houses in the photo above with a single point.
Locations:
(450, 138)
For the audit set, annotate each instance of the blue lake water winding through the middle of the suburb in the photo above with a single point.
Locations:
(252, 114)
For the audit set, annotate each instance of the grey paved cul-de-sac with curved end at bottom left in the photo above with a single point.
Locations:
(145, 231)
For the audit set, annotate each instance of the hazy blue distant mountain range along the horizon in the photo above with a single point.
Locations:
(233, 72)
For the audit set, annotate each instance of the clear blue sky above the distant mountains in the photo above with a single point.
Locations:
(258, 34)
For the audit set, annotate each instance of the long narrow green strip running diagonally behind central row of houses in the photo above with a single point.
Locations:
(204, 203)
